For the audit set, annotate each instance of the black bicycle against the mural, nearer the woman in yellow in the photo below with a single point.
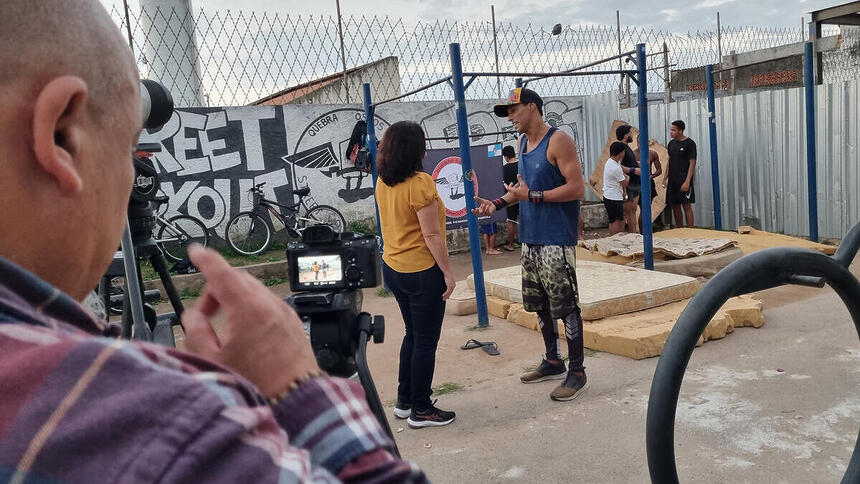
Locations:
(249, 233)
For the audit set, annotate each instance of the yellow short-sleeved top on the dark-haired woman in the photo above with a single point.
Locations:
(405, 249)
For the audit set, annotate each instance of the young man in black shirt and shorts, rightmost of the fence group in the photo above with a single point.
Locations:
(678, 180)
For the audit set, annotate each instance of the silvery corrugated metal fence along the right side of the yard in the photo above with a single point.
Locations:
(762, 155)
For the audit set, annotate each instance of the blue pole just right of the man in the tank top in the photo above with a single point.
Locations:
(644, 157)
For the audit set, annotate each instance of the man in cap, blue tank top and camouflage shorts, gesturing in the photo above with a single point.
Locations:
(550, 186)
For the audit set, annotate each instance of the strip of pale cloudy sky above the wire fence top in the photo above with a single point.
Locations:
(671, 15)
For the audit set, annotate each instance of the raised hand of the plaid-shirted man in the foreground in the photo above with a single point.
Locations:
(262, 338)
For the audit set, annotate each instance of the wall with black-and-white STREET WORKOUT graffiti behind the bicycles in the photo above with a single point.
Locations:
(211, 157)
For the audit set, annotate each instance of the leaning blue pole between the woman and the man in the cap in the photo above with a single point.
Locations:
(466, 159)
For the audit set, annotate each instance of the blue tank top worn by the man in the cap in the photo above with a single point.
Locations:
(545, 223)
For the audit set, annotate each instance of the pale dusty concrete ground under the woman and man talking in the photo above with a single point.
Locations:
(740, 419)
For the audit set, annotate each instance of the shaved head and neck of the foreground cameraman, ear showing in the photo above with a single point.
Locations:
(69, 119)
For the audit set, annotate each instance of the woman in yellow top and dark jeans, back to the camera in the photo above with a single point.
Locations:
(416, 266)
